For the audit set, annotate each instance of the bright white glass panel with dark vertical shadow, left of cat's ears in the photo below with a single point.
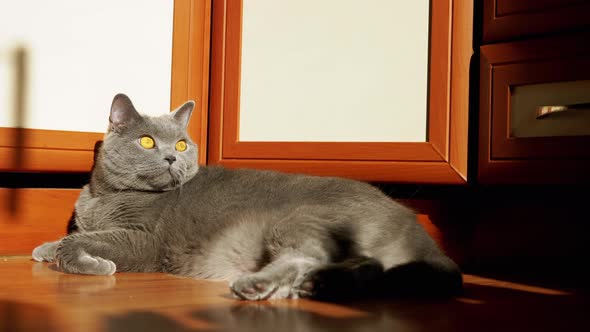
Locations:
(81, 53)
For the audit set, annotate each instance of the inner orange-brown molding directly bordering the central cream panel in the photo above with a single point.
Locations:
(232, 148)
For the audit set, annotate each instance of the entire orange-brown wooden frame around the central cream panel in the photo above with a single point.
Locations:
(442, 159)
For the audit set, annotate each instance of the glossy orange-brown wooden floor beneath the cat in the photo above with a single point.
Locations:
(34, 296)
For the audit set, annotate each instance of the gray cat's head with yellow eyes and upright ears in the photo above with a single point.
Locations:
(147, 153)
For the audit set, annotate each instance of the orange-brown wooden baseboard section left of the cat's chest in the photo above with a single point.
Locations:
(29, 217)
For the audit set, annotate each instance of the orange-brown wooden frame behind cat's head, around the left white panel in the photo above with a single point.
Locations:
(35, 150)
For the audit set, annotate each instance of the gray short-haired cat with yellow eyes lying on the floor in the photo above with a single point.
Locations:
(150, 208)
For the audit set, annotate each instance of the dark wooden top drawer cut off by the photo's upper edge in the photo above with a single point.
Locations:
(509, 19)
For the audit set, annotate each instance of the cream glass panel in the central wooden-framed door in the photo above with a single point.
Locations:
(334, 70)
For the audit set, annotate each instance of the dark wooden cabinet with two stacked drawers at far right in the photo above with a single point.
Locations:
(517, 144)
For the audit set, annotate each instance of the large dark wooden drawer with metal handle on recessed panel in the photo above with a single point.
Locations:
(518, 144)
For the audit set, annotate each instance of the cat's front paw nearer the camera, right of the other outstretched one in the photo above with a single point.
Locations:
(84, 263)
